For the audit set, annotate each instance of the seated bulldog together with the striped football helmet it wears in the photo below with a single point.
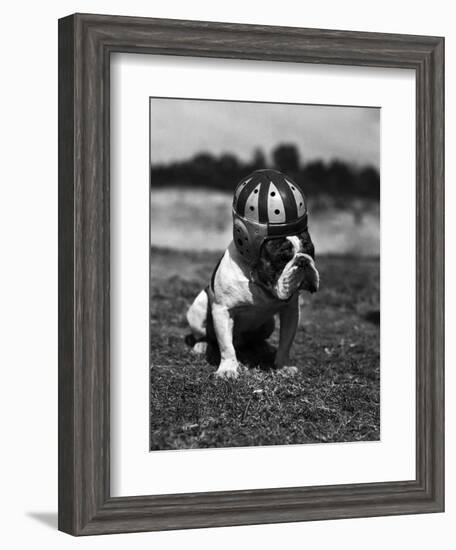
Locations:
(269, 261)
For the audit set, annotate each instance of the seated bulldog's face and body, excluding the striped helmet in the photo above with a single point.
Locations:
(239, 306)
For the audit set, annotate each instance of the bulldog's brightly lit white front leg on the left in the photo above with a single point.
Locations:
(223, 326)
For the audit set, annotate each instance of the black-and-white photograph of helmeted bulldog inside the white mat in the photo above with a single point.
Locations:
(264, 274)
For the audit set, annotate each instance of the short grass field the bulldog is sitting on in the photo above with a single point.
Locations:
(334, 397)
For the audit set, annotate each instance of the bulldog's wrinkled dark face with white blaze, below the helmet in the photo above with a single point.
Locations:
(287, 264)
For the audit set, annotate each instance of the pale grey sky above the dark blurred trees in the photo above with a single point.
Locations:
(181, 128)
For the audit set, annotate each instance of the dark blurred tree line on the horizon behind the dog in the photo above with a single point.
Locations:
(337, 179)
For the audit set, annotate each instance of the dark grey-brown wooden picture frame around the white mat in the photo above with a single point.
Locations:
(85, 45)
